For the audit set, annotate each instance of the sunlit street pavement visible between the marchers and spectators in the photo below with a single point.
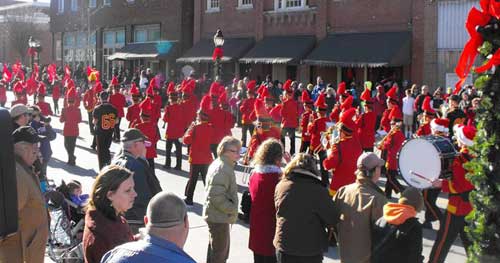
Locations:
(173, 181)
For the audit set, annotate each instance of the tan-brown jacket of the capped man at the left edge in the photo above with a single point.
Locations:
(28, 244)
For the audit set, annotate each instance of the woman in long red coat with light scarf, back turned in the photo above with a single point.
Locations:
(263, 180)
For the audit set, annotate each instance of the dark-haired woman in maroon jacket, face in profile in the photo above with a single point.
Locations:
(105, 227)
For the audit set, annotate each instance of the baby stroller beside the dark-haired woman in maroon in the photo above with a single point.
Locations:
(64, 244)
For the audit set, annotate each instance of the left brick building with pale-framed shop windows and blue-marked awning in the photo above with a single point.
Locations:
(123, 34)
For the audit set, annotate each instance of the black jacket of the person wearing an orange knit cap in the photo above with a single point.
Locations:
(397, 243)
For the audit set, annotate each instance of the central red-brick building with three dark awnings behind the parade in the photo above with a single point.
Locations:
(339, 40)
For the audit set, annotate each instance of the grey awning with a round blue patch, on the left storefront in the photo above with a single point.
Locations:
(150, 50)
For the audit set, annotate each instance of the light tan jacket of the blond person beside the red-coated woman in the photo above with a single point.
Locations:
(221, 193)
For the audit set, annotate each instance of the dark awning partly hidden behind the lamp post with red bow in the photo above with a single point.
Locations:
(202, 51)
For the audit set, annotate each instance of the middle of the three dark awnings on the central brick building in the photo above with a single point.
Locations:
(280, 50)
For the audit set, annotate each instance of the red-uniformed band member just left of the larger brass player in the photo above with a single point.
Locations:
(316, 128)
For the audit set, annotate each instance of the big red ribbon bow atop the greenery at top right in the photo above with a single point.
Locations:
(490, 8)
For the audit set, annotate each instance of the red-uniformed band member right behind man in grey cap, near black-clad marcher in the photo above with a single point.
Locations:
(149, 128)
